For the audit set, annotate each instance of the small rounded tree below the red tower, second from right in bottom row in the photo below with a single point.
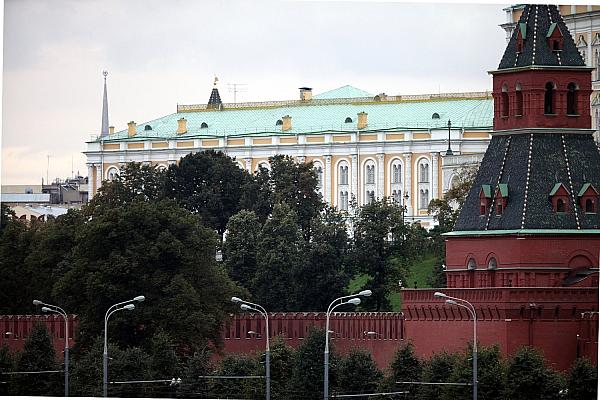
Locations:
(528, 377)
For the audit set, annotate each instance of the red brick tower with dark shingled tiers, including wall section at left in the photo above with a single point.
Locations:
(525, 248)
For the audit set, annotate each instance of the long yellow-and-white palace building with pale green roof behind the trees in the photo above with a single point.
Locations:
(363, 146)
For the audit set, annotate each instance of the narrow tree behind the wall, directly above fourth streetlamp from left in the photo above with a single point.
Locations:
(326, 272)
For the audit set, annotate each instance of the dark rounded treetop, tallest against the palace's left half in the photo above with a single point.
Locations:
(209, 184)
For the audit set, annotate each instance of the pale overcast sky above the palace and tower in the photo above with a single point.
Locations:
(160, 53)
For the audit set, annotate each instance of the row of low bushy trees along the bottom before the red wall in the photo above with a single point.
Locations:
(295, 373)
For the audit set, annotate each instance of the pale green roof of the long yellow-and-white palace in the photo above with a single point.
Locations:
(327, 113)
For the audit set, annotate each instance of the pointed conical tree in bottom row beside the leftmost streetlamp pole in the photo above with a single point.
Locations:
(37, 355)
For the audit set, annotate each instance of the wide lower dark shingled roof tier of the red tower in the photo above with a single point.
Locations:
(529, 205)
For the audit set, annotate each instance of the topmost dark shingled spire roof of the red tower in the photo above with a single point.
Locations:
(535, 45)
